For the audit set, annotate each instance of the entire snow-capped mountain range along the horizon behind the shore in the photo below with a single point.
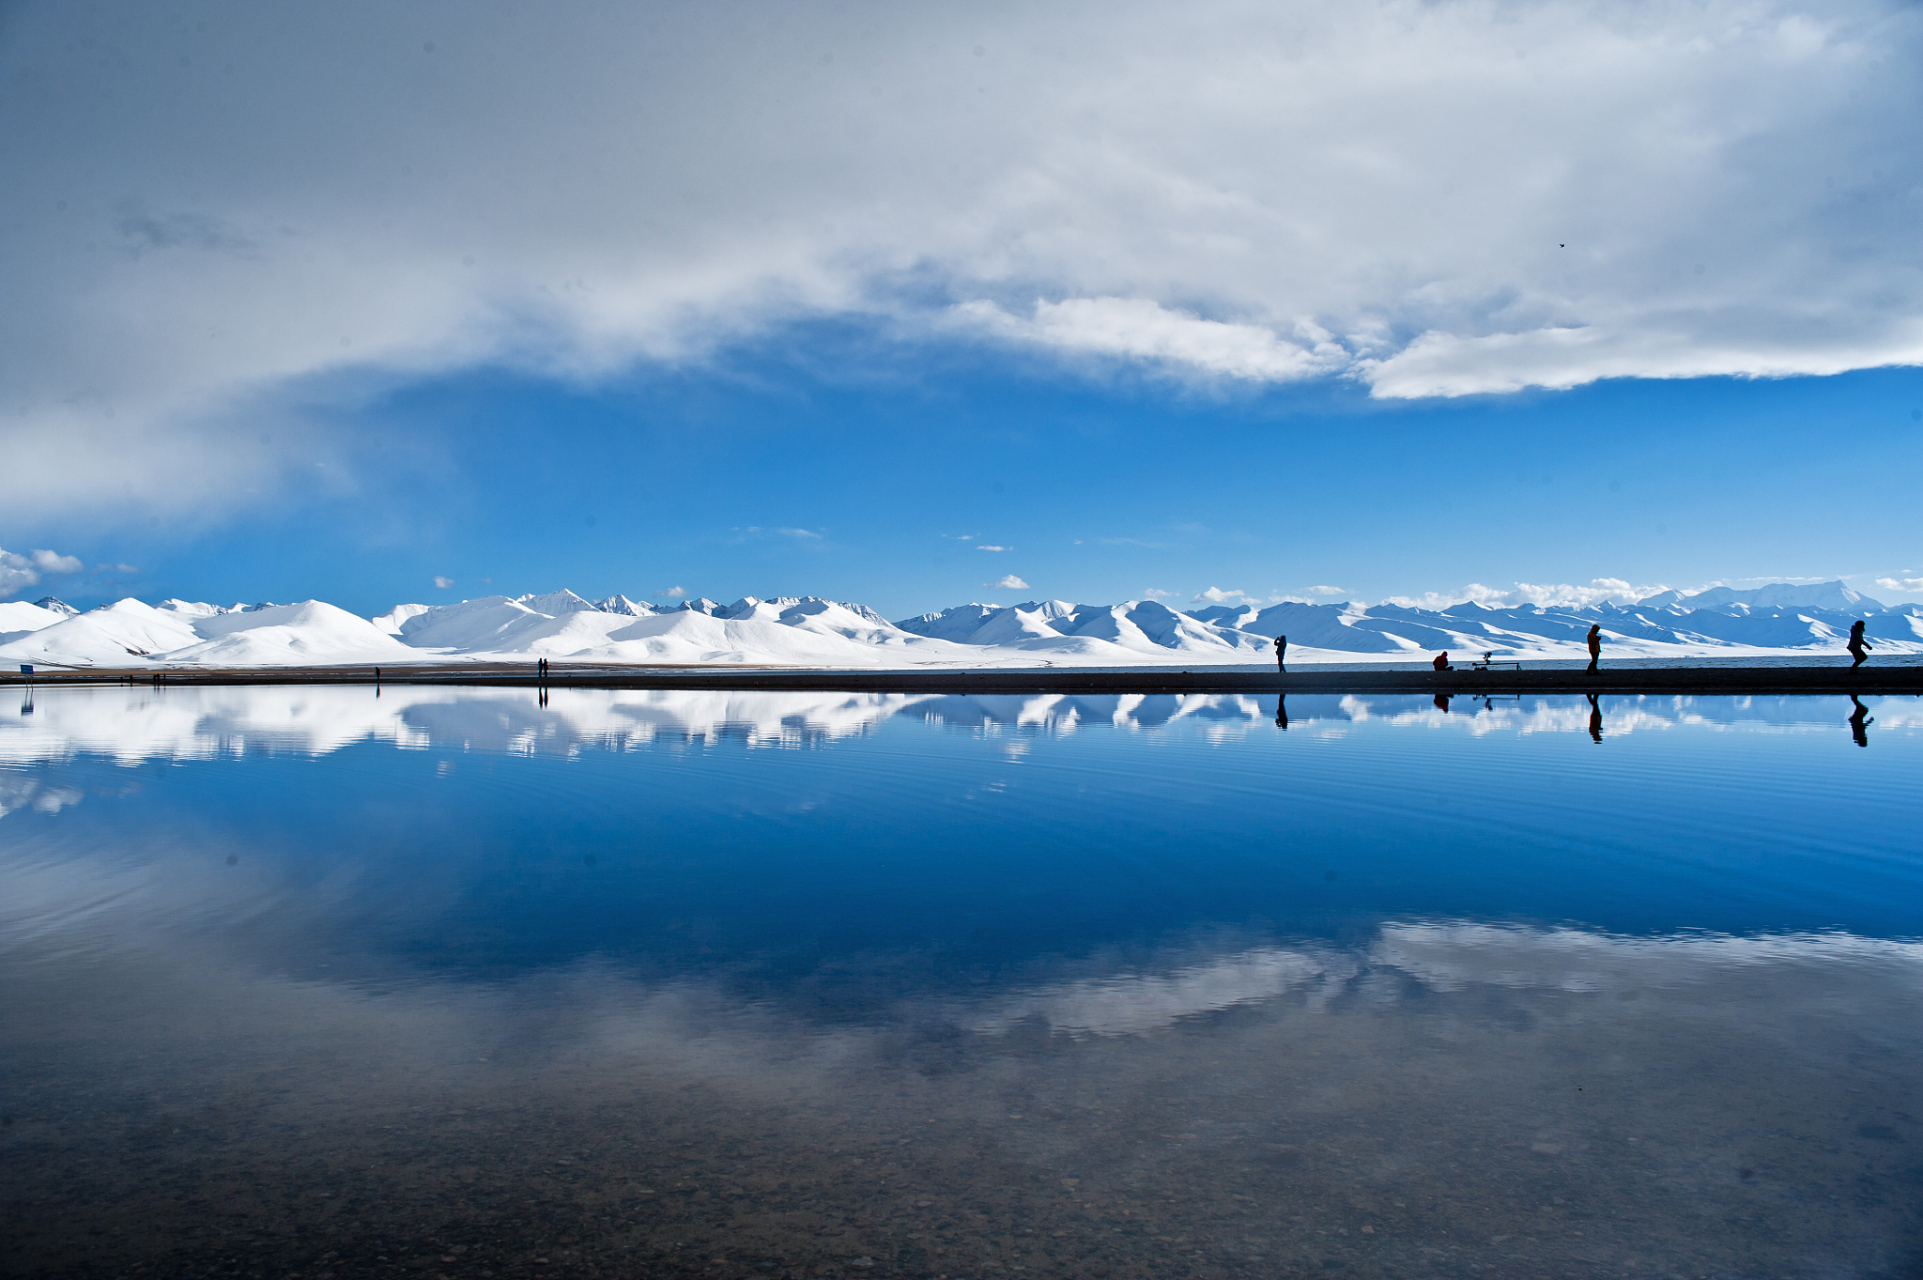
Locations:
(805, 631)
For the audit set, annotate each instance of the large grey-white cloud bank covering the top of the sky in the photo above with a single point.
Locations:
(1449, 199)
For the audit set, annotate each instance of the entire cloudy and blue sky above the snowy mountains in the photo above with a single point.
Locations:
(1299, 301)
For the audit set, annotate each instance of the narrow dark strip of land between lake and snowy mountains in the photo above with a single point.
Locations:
(1682, 681)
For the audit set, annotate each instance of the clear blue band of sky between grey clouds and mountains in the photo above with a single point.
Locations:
(770, 480)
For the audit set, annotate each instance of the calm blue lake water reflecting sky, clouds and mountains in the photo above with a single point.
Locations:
(324, 983)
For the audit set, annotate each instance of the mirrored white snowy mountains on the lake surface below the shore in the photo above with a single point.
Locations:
(209, 722)
